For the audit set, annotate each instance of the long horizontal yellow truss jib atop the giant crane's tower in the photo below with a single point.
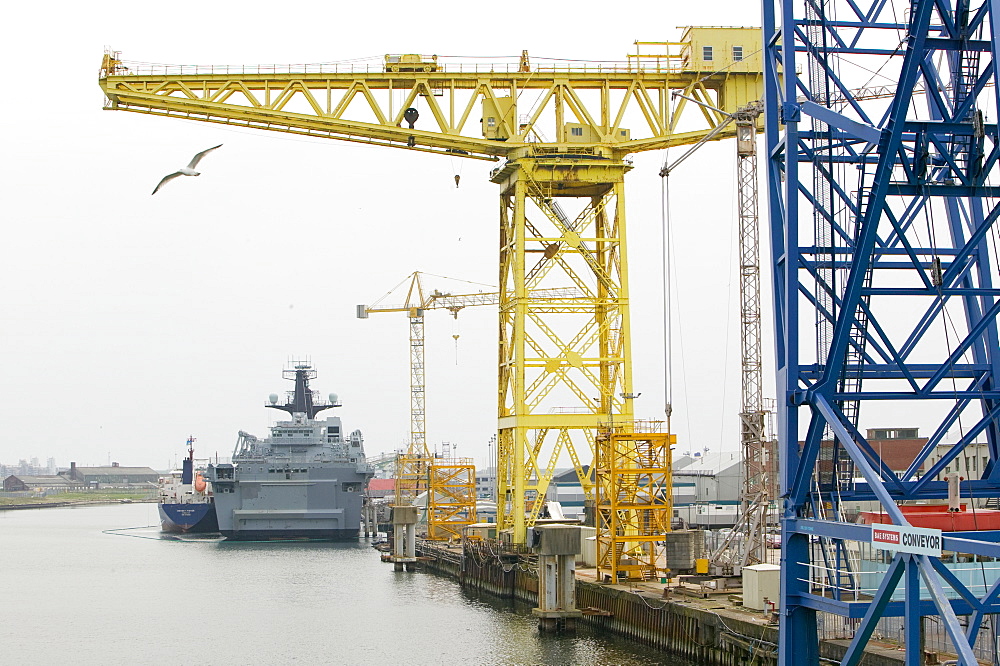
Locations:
(485, 111)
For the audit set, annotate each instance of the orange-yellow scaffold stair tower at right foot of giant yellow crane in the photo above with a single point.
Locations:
(634, 499)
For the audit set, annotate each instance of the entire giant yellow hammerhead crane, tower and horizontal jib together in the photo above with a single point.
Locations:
(562, 132)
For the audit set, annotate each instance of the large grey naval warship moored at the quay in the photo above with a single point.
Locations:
(305, 481)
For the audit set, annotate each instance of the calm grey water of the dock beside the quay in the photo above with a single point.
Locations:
(77, 585)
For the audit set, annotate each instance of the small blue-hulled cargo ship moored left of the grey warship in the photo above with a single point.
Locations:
(185, 499)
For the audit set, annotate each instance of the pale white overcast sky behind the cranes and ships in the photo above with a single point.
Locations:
(130, 322)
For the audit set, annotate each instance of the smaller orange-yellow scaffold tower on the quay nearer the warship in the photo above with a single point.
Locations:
(451, 503)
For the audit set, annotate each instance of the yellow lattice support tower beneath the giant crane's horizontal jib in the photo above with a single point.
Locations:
(565, 362)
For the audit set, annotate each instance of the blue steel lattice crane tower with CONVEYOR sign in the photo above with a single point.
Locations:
(883, 222)
